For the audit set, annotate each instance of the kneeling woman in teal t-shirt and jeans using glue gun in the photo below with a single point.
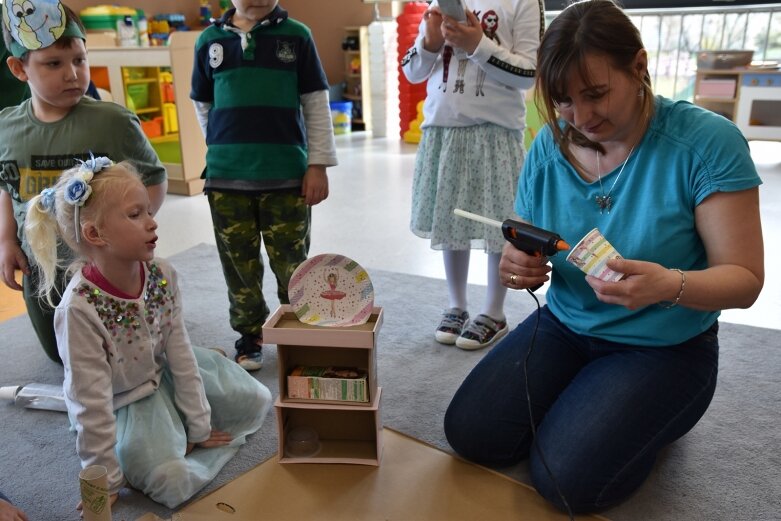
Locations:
(609, 373)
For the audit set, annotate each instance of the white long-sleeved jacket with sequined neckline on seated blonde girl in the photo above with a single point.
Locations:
(114, 351)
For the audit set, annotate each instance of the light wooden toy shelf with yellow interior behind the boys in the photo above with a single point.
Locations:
(187, 143)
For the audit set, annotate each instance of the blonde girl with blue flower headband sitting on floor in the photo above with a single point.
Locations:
(144, 403)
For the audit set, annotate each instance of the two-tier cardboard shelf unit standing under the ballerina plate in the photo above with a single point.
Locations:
(349, 432)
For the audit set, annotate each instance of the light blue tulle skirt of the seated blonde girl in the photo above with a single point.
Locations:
(151, 438)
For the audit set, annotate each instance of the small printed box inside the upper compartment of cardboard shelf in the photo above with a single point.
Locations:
(347, 384)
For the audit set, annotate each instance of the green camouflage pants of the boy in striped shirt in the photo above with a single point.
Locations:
(283, 221)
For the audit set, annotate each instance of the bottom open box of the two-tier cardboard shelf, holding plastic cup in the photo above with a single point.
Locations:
(347, 434)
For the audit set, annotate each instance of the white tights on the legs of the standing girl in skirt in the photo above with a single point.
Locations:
(457, 270)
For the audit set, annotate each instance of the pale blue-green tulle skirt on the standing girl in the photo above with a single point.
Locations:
(472, 168)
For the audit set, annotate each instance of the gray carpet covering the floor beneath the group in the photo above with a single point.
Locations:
(727, 468)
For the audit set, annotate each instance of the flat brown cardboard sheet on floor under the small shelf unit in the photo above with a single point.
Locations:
(414, 481)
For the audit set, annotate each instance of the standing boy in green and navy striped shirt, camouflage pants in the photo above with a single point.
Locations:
(262, 101)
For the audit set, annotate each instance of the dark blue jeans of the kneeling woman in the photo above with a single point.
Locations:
(602, 410)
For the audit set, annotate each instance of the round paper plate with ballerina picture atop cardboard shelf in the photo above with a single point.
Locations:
(331, 290)
